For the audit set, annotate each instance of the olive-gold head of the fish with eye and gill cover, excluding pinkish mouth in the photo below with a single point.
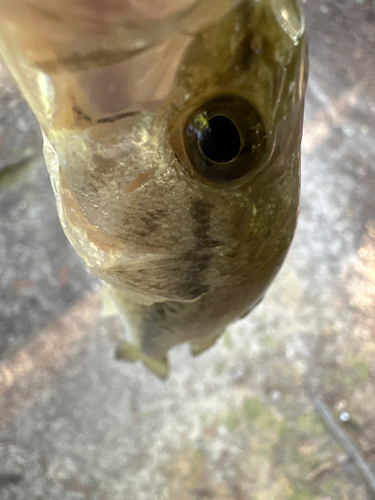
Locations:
(197, 191)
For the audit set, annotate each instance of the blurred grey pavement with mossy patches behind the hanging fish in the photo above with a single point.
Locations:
(282, 407)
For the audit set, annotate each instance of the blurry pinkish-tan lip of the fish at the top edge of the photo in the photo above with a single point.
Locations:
(104, 35)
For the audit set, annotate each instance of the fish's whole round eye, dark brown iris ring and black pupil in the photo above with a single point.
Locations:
(225, 139)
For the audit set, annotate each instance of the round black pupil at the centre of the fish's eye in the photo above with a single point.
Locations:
(221, 141)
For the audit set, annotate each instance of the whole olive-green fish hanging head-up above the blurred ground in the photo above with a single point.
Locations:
(172, 135)
